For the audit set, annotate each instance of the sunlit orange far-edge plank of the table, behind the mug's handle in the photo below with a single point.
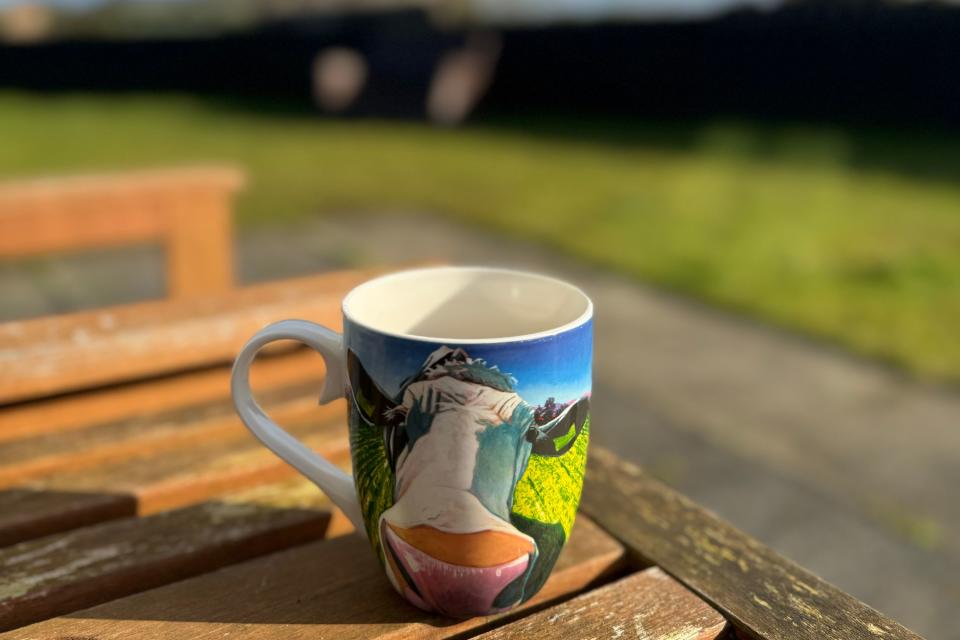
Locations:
(65, 353)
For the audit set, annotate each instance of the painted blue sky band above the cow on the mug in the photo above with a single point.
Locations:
(557, 367)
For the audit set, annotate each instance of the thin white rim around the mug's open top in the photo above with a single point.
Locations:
(403, 274)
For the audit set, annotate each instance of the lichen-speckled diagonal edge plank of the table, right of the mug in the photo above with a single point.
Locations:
(762, 593)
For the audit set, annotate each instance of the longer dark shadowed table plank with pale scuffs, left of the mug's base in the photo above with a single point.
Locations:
(68, 571)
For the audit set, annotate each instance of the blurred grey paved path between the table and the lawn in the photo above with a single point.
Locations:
(843, 465)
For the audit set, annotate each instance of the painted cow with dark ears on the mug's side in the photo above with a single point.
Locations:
(453, 444)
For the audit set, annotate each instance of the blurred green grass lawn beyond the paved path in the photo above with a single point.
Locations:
(850, 236)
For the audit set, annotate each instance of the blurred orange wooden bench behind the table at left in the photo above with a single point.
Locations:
(188, 211)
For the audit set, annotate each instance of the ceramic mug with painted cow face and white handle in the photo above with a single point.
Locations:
(468, 392)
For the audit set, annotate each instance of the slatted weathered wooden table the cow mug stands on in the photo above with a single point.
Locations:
(133, 504)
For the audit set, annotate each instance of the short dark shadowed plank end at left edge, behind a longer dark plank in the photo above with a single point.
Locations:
(26, 514)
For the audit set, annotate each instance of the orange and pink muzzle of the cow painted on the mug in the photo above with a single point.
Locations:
(456, 574)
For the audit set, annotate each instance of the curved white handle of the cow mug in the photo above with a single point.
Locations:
(334, 482)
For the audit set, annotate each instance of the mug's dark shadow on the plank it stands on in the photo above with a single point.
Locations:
(327, 583)
